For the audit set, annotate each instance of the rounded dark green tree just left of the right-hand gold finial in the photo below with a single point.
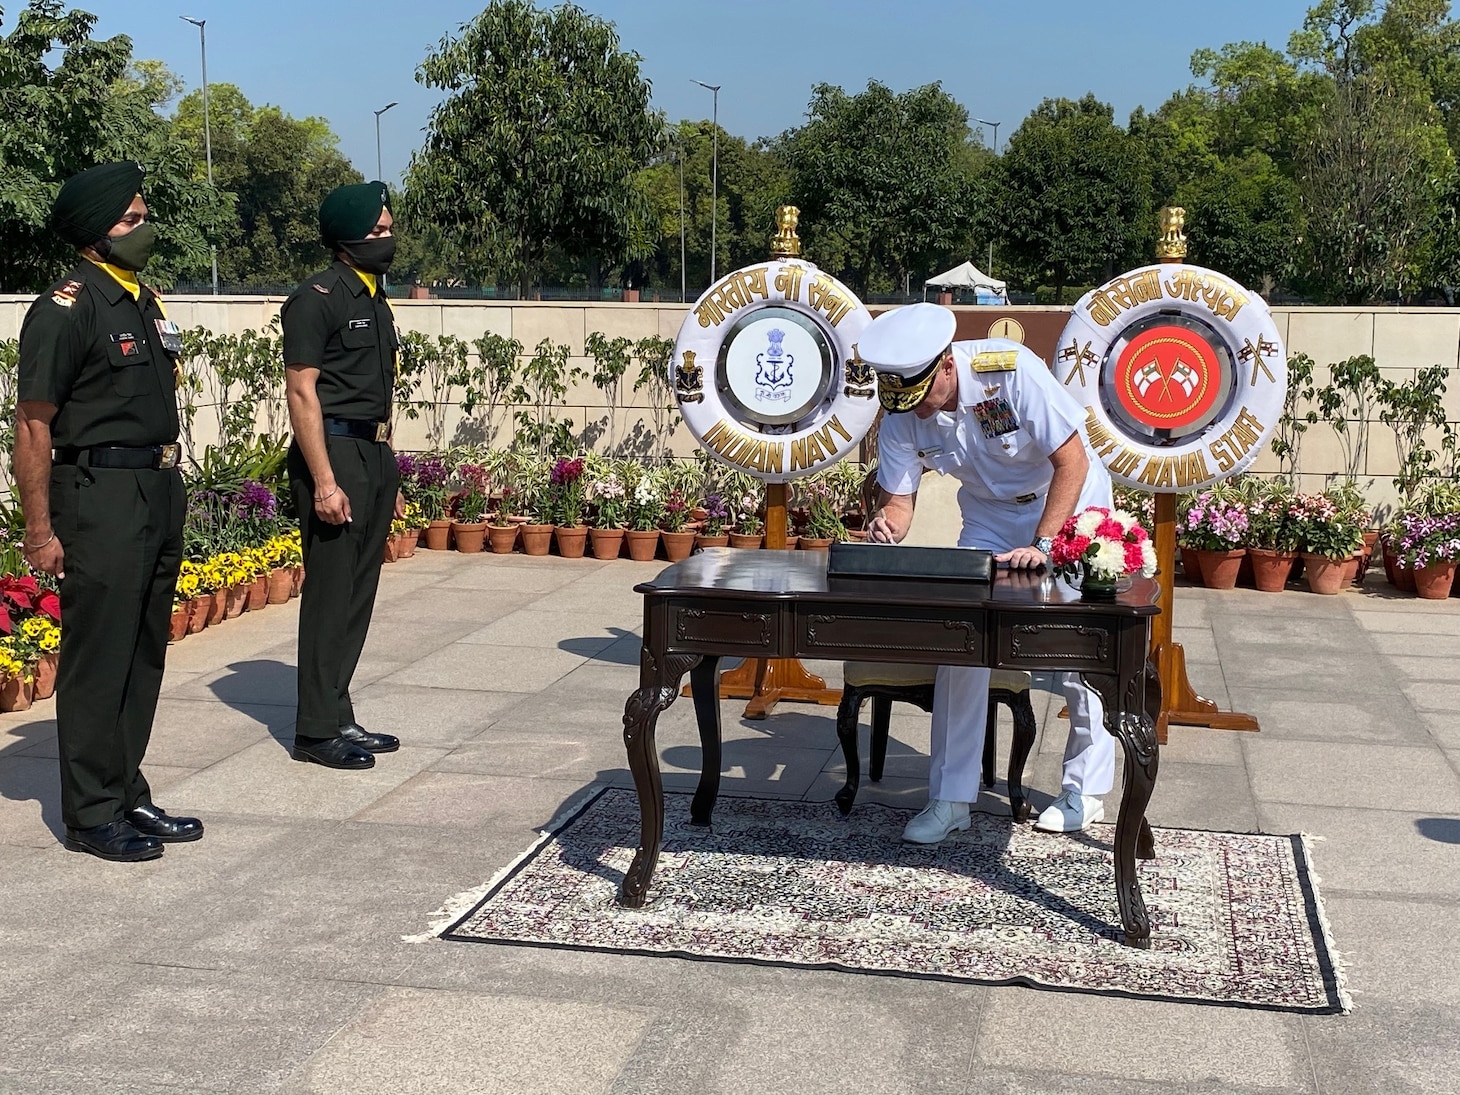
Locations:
(1074, 196)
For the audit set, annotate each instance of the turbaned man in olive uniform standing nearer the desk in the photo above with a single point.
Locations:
(339, 345)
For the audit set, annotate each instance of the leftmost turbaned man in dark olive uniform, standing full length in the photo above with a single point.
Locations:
(96, 458)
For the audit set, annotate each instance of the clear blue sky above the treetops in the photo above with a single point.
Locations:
(345, 59)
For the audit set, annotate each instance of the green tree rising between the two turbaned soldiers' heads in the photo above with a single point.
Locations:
(280, 170)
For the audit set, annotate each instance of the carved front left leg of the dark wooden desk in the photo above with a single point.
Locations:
(659, 685)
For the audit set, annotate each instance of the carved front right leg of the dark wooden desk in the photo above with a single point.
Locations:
(1132, 721)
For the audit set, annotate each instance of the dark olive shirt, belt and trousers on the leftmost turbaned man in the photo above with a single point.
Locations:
(99, 356)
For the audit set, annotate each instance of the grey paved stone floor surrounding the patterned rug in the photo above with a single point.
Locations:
(271, 956)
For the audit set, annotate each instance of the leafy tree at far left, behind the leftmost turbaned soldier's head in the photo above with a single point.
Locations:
(69, 101)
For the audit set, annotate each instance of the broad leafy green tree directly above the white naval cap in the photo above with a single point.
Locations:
(885, 182)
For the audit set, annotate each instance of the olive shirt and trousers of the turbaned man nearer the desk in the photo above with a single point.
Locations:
(335, 325)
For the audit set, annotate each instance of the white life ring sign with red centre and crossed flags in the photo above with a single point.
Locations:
(1182, 374)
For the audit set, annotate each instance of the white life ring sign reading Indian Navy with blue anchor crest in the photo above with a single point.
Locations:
(767, 374)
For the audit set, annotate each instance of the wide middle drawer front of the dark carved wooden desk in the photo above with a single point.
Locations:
(871, 633)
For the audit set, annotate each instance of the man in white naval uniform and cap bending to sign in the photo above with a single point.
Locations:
(989, 414)
